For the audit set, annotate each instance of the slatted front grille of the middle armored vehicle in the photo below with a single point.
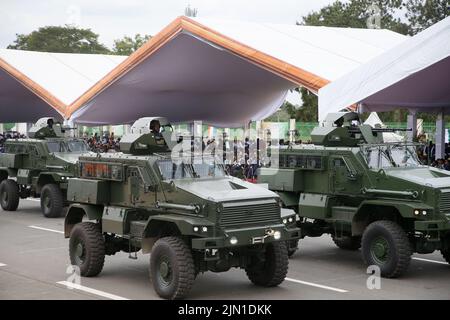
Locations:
(240, 214)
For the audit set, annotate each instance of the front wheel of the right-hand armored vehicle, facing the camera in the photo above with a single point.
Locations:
(385, 244)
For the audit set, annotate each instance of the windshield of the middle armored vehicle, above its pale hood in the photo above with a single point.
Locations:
(171, 170)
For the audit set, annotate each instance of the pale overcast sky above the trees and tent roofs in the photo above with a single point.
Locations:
(113, 19)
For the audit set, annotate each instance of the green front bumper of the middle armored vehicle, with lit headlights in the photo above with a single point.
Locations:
(246, 237)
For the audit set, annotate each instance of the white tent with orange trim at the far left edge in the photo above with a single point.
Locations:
(37, 84)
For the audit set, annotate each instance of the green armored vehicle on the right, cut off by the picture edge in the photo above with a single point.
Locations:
(365, 193)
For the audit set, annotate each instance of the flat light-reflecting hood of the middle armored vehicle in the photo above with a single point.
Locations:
(224, 189)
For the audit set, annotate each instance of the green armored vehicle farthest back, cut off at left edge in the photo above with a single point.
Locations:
(39, 166)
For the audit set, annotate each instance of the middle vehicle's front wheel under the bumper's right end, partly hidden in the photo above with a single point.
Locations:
(270, 271)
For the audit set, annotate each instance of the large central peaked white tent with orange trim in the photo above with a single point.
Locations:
(225, 73)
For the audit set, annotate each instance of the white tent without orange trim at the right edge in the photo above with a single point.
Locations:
(413, 75)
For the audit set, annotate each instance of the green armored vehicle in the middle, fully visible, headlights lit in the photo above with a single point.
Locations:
(191, 216)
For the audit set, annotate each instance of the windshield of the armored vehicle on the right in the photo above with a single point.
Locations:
(388, 156)
